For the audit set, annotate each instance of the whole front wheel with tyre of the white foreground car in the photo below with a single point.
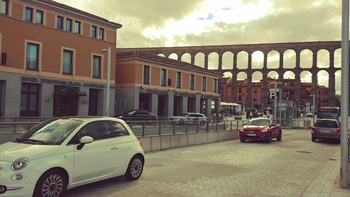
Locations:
(52, 183)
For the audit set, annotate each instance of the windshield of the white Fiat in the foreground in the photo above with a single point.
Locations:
(52, 132)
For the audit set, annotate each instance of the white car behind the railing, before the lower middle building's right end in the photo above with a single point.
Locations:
(189, 118)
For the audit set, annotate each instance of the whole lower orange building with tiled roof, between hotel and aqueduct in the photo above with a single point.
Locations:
(165, 87)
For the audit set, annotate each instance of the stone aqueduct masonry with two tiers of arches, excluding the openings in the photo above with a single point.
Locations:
(297, 47)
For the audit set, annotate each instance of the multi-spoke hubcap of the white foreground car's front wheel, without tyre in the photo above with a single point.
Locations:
(52, 186)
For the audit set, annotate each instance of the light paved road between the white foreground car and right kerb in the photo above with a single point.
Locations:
(228, 168)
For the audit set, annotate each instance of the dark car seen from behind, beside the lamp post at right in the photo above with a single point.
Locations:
(325, 129)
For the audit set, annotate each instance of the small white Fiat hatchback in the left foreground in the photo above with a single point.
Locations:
(67, 152)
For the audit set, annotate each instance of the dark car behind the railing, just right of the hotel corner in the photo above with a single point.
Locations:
(137, 115)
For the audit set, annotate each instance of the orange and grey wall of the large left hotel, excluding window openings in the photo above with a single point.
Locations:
(16, 33)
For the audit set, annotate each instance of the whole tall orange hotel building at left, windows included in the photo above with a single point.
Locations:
(51, 61)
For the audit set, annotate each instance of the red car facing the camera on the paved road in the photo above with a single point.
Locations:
(261, 129)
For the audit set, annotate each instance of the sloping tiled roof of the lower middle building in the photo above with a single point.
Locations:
(162, 60)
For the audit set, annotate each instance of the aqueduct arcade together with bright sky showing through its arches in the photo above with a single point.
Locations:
(278, 59)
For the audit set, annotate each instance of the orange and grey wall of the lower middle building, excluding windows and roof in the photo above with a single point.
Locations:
(164, 101)
